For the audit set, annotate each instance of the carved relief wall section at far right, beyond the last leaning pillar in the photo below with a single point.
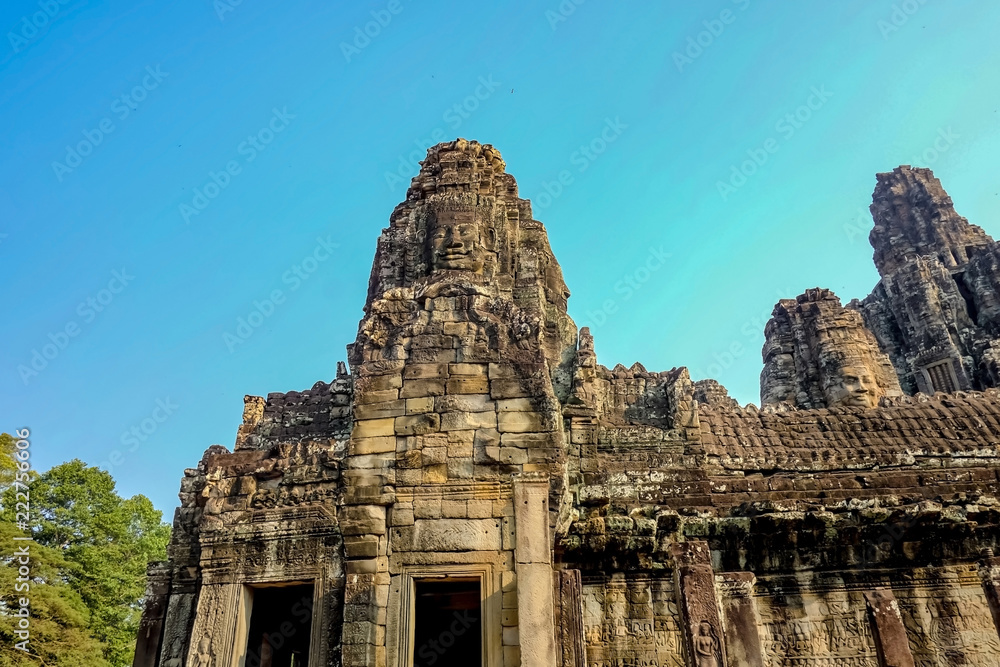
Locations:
(949, 626)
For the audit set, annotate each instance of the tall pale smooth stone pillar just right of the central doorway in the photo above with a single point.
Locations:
(533, 558)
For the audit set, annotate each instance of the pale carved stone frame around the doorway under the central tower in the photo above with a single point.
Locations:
(489, 595)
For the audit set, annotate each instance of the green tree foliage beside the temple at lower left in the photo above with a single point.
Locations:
(88, 562)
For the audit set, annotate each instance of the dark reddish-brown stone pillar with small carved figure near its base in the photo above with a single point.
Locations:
(701, 625)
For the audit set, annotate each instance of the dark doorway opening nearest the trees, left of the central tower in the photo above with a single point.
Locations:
(280, 624)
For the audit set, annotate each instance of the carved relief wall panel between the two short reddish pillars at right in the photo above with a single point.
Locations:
(816, 630)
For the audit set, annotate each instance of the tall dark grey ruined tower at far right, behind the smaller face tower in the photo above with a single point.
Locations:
(935, 311)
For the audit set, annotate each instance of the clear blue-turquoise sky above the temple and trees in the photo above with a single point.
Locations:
(167, 166)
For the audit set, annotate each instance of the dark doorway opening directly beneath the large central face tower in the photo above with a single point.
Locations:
(447, 624)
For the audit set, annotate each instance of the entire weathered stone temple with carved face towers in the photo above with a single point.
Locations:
(477, 490)
